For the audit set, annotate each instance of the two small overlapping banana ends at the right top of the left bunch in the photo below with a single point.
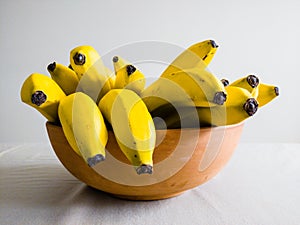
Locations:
(128, 76)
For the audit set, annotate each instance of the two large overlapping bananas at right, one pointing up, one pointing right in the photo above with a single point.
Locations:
(189, 72)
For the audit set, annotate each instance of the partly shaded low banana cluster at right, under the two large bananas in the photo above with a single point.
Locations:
(244, 97)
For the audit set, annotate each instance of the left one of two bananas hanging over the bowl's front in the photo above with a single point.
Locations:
(84, 127)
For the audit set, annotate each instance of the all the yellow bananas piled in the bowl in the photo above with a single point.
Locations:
(87, 99)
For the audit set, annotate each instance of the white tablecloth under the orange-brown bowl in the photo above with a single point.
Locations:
(260, 185)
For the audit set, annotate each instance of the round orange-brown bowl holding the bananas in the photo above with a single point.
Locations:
(183, 159)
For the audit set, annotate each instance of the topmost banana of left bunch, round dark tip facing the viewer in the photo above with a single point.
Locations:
(93, 75)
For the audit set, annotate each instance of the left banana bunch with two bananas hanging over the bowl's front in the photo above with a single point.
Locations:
(85, 96)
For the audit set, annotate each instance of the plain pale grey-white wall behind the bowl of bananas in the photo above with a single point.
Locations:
(259, 37)
